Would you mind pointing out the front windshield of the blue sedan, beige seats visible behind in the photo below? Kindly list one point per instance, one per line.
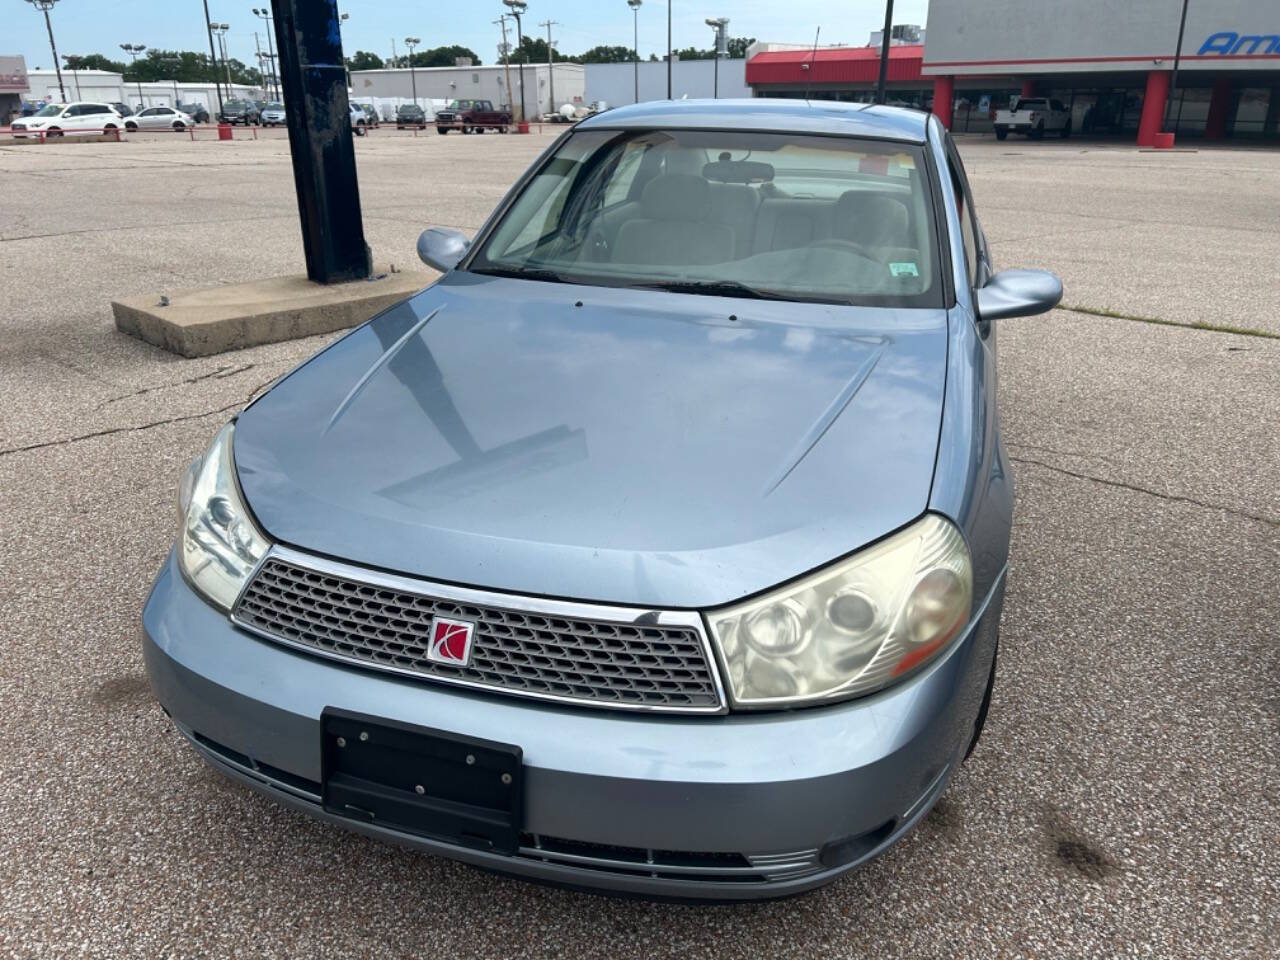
(776, 216)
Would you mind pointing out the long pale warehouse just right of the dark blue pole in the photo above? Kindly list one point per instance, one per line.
(444, 84)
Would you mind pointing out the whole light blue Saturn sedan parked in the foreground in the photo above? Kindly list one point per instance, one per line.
(653, 548)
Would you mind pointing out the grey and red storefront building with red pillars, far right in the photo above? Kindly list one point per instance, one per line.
(1112, 65)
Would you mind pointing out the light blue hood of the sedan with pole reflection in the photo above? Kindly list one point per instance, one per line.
(628, 447)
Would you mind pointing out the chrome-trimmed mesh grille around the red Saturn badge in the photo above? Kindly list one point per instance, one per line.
(385, 623)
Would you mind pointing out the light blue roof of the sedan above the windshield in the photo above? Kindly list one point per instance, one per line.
(770, 115)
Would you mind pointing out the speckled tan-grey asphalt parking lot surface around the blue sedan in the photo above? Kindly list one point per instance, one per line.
(1124, 801)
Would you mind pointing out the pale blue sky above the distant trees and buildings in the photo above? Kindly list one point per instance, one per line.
(99, 28)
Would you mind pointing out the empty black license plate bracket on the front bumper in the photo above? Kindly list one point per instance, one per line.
(417, 780)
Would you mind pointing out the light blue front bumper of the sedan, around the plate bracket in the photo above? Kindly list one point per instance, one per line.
(739, 807)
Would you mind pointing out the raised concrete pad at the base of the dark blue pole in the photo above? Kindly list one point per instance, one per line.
(217, 319)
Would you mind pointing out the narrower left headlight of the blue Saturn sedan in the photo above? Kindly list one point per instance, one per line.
(220, 543)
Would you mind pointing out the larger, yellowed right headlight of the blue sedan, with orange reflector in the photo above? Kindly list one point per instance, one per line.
(853, 628)
